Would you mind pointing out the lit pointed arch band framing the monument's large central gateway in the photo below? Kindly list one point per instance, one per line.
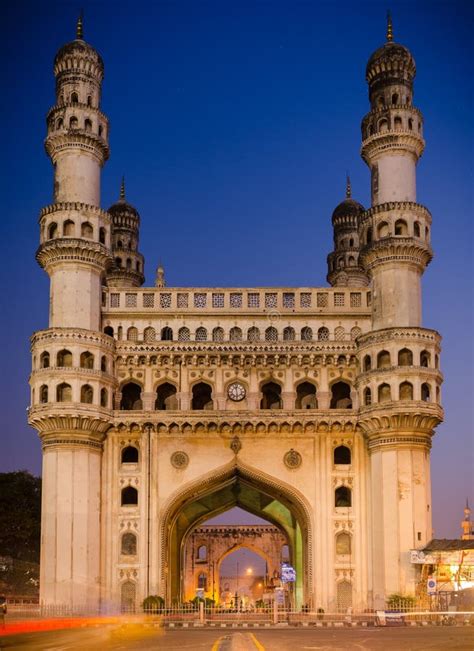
(235, 485)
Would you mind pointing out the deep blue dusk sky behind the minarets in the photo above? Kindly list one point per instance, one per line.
(235, 123)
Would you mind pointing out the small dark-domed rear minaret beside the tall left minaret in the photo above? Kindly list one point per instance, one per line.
(128, 265)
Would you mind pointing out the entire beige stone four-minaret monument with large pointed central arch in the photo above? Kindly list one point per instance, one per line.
(160, 407)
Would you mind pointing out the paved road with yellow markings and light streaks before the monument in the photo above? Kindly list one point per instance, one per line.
(133, 638)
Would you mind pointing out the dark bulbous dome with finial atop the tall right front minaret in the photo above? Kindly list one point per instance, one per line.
(392, 60)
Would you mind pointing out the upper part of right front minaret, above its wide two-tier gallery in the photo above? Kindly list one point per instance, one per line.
(395, 232)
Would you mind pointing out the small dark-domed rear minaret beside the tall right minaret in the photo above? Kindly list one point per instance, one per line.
(343, 263)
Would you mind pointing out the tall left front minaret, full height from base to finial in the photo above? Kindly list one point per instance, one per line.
(71, 383)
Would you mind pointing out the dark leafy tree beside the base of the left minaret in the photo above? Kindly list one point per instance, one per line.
(20, 515)
